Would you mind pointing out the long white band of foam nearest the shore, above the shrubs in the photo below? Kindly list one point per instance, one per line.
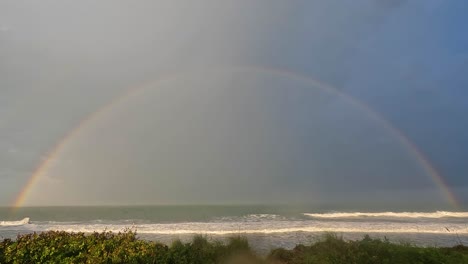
(267, 227)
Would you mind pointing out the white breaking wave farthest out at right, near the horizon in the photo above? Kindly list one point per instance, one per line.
(437, 214)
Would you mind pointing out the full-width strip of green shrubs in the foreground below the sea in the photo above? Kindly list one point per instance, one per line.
(108, 247)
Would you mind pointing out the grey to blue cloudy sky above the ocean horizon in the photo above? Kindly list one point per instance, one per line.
(229, 101)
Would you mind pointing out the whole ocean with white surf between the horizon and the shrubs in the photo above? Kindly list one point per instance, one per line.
(266, 227)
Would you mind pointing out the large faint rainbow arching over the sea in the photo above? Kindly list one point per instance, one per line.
(133, 91)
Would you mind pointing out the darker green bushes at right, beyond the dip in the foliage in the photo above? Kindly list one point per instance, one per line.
(332, 249)
